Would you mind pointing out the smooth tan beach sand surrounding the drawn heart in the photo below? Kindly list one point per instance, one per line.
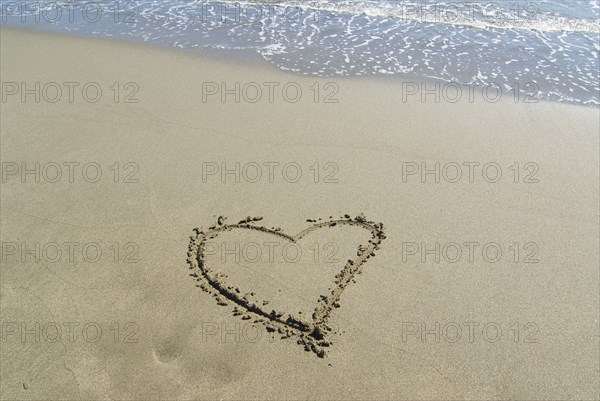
(408, 328)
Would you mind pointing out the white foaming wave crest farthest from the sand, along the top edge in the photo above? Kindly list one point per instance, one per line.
(536, 16)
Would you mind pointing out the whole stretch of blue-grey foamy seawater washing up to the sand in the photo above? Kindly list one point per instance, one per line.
(553, 50)
